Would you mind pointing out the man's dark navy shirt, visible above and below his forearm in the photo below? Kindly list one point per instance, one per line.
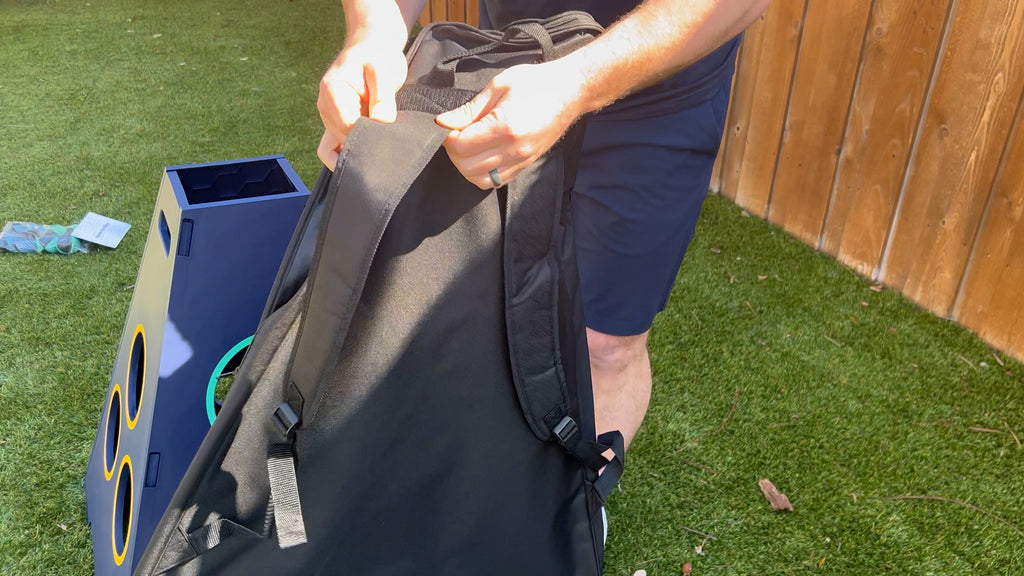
(696, 85)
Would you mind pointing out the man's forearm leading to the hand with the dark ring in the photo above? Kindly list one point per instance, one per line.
(658, 39)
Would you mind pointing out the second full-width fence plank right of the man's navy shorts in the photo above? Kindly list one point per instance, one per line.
(834, 34)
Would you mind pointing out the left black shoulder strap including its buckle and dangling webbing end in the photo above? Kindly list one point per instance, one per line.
(376, 169)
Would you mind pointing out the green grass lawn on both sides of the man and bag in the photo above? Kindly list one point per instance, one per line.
(773, 361)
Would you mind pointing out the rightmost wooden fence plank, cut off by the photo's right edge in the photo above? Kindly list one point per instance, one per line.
(992, 303)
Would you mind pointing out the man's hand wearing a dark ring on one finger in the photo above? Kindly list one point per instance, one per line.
(517, 118)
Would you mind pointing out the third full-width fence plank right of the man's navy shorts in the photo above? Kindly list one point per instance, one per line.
(900, 55)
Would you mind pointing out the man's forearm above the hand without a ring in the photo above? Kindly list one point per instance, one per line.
(385, 21)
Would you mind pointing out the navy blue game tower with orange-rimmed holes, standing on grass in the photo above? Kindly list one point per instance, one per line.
(218, 237)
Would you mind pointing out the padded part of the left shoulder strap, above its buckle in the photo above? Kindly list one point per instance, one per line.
(375, 170)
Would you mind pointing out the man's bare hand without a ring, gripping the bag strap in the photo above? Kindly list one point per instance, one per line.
(362, 81)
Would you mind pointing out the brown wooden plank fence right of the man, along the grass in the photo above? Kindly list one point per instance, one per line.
(888, 134)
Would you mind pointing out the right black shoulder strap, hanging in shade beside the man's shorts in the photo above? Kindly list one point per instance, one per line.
(535, 243)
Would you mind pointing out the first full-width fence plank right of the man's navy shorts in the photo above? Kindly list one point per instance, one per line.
(751, 159)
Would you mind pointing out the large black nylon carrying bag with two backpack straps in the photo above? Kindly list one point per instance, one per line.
(417, 399)
